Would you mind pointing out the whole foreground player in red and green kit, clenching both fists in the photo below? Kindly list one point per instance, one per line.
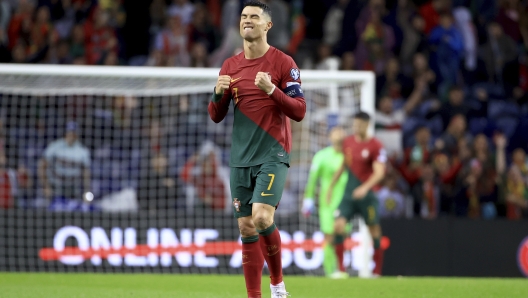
(263, 85)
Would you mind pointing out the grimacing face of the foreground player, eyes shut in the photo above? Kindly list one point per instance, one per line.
(254, 24)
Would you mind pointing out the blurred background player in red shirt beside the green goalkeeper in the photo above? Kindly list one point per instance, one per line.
(364, 161)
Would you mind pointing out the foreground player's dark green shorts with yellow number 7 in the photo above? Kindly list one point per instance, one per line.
(258, 184)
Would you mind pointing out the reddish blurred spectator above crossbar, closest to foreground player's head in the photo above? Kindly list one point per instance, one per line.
(172, 42)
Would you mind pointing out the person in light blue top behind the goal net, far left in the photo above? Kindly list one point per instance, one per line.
(64, 171)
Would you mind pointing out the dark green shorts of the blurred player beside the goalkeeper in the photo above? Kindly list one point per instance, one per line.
(368, 207)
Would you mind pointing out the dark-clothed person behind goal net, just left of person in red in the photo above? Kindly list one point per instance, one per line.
(157, 189)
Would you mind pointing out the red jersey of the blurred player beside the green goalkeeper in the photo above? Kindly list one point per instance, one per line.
(359, 156)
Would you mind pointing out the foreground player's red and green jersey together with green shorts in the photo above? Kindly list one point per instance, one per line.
(261, 139)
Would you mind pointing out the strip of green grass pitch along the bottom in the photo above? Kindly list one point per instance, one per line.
(44, 285)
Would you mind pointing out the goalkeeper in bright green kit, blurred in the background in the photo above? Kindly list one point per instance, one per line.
(324, 165)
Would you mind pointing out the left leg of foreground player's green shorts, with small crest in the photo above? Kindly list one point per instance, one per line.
(242, 184)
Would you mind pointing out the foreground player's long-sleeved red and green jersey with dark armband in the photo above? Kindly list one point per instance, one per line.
(261, 129)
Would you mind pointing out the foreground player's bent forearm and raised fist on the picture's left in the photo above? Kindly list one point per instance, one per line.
(219, 104)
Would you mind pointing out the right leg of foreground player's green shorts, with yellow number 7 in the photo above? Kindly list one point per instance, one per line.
(269, 183)
